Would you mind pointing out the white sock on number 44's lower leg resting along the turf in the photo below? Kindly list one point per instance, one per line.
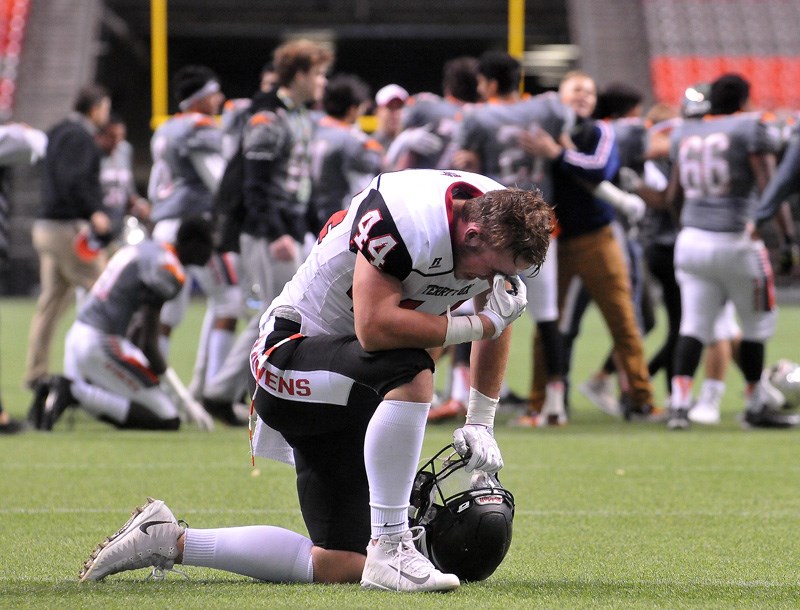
(264, 552)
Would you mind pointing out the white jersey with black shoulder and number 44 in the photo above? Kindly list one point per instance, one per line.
(401, 224)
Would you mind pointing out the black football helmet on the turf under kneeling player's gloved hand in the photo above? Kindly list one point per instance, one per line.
(467, 517)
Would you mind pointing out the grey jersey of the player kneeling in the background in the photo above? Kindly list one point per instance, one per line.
(147, 273)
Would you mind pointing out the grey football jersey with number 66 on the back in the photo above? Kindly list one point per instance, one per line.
(715, 174)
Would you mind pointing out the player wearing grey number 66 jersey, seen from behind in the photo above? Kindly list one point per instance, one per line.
(717, 164)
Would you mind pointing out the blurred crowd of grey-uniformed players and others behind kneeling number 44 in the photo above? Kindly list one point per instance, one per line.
(670, 197)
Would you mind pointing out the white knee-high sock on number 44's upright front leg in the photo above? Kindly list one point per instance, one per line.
(392, 446)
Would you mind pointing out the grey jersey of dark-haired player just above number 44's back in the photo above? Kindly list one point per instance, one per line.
(343, 161)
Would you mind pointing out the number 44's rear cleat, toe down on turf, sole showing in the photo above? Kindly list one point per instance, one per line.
(149, 538)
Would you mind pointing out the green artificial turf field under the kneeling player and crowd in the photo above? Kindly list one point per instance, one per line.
(609, 514)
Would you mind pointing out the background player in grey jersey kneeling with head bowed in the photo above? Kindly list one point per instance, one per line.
(112, 362)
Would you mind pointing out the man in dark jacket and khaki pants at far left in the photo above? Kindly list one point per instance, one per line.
(72, 205)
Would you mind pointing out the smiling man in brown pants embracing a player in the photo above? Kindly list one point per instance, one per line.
(587, 248)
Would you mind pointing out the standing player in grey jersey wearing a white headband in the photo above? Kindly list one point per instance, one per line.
(187, 169)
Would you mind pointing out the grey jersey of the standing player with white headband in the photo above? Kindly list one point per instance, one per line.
(176, 189)
